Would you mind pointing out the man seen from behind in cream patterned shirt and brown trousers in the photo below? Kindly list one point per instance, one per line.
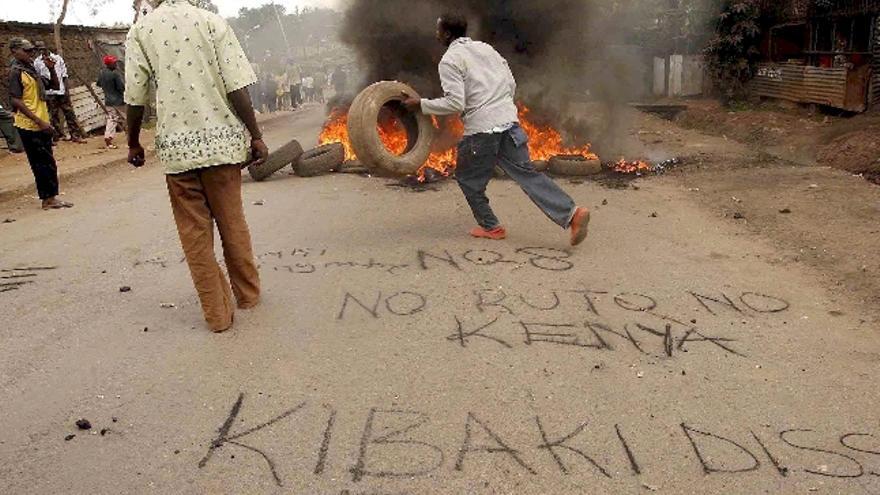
(206, 133)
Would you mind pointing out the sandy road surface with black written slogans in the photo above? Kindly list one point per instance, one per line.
(681, 352)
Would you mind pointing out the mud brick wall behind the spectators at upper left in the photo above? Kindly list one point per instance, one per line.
(78, 41)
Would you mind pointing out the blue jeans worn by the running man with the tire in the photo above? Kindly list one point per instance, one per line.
(480, 153)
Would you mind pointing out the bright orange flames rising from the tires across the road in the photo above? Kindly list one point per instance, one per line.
(545, 142)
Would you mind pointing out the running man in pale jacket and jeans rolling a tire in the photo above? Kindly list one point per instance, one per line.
(478, 85)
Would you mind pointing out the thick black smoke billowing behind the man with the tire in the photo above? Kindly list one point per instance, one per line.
(545, 42)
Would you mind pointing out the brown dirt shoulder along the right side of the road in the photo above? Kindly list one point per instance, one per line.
(816, 215)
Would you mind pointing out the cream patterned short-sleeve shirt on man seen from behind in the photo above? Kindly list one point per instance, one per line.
(195, 61)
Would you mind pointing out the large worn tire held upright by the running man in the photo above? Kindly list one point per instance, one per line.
(383, 100)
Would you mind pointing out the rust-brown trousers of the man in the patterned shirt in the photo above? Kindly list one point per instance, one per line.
(199, 199)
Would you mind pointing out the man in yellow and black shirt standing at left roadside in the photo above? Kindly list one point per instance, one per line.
(28, 91)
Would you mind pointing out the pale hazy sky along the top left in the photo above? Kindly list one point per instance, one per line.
(114, 11)
